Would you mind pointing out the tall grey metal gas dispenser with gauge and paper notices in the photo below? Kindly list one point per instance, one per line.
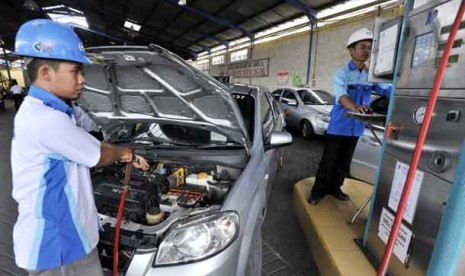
(428, 25)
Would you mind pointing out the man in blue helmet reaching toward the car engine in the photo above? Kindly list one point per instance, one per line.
(56, 232)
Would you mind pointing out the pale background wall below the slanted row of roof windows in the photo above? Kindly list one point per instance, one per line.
(290, 54)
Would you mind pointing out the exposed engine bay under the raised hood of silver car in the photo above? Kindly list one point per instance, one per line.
(156, 199)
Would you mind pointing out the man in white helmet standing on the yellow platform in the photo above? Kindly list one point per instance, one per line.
(352, 92)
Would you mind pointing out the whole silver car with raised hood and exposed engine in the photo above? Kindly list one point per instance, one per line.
(213, 151)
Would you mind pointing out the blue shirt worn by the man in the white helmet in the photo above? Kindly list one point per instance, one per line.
(353, 83)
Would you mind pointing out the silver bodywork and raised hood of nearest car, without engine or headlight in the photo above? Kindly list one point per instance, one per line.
(258, 154)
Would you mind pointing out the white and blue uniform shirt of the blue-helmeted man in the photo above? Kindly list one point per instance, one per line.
(50, 159)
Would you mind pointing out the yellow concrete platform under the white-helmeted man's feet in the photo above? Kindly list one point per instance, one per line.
(329, 233)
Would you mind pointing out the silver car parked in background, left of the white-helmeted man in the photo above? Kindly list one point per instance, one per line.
(306, 110)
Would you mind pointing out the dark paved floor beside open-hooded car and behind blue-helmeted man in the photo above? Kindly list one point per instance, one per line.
(281, 230)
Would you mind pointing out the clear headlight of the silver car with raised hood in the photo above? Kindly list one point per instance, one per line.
(198, 239)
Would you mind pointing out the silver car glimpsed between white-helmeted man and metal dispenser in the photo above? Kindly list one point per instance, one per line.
(366, 156)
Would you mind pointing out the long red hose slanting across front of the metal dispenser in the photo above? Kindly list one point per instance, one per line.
(382, 269)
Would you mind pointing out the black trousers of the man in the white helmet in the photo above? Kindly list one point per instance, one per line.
(335, 164)
